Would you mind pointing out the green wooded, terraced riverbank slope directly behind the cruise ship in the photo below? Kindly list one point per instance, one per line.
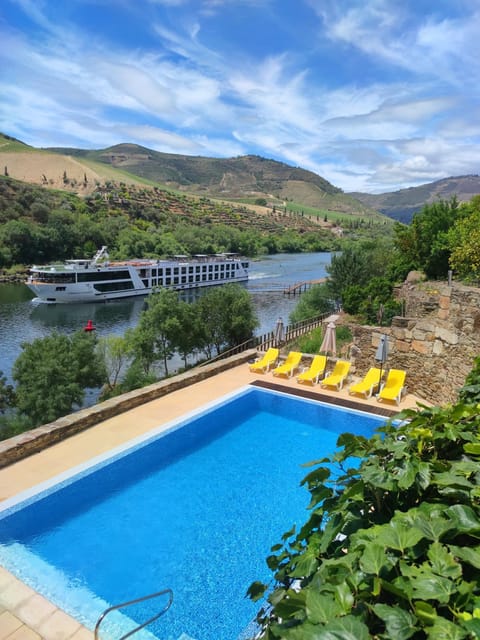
(39, 225)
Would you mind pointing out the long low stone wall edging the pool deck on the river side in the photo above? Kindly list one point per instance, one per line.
(33, 441)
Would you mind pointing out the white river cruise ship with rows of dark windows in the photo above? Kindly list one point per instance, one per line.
(100, 279)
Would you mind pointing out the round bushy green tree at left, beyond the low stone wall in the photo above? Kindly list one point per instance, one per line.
(52, 374)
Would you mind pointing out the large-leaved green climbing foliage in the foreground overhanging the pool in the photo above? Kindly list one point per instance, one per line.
(391, 548)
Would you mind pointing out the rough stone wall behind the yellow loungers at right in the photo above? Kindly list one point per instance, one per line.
(435, 343)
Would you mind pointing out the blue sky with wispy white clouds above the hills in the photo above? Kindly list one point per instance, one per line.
(373, 95)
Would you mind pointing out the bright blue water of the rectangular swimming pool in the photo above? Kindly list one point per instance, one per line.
(196, 509)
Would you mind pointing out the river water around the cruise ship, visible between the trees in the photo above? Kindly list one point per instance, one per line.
(23, 319)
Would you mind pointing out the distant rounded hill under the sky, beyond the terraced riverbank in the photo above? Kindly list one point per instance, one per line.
(248, 179)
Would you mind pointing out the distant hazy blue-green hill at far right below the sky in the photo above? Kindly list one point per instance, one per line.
(401, 205)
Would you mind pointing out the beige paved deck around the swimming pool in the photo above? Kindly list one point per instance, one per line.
(25, 614)
